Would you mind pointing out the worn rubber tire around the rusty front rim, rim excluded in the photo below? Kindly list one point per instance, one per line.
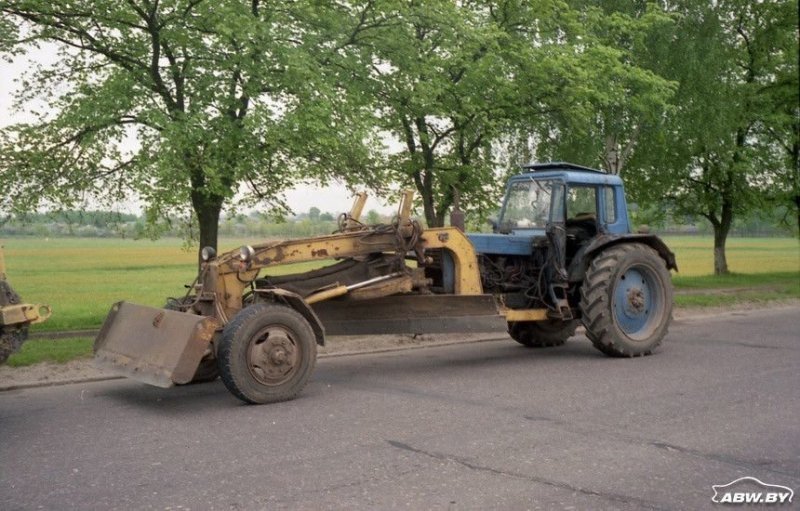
(231, 353)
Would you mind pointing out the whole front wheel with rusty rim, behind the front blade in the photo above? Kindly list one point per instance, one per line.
(267, 353)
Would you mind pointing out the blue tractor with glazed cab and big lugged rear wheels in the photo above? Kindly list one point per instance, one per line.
(563, 242)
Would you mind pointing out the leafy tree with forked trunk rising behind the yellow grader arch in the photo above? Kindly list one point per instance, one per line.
(449, 78)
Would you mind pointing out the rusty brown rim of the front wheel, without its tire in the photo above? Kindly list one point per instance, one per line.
(273, 355)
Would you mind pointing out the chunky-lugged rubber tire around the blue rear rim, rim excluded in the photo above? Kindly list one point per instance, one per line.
(596, 302)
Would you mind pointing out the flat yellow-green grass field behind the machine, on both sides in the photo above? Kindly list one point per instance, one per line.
(81, 278)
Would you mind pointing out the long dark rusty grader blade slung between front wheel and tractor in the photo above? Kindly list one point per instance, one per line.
(411, 314)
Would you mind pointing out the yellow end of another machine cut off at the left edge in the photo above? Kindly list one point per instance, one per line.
(15, 316)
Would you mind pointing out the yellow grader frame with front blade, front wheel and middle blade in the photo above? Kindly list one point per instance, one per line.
(259, 332)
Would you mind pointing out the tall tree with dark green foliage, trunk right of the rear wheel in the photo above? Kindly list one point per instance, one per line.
(712, 162)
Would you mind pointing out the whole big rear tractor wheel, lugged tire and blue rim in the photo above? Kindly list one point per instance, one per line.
(626, 300)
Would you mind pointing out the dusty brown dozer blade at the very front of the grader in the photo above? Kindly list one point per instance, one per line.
(155, 346)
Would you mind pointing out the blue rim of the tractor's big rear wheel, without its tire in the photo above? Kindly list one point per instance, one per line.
(638, 302)
